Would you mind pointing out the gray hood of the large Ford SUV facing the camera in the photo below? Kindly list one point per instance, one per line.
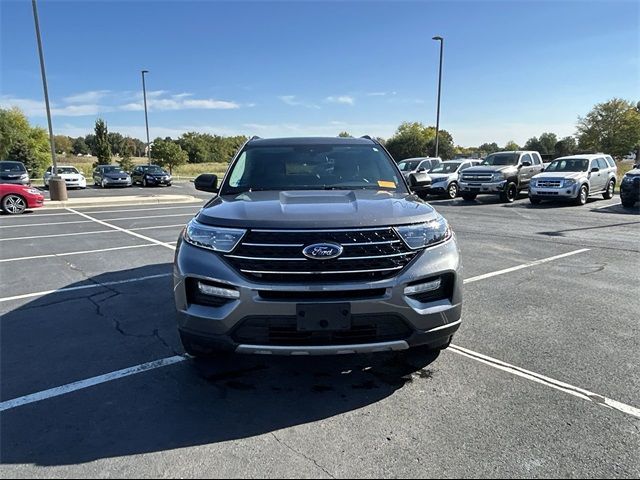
(315, 209)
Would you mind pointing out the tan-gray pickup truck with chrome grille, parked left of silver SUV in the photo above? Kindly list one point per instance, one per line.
(503, 173)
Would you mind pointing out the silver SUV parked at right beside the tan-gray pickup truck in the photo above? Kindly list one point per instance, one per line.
(575, 178)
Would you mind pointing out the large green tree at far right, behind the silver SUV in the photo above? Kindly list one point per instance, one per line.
(611, 127)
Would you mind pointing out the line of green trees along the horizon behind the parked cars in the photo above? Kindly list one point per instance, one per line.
(611, 127)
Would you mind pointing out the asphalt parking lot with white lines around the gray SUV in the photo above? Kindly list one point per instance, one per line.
(543, 379)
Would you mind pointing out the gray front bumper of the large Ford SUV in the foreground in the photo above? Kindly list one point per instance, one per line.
(430, 323)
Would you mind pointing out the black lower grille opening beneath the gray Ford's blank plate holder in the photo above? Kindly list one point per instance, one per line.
(283, 331)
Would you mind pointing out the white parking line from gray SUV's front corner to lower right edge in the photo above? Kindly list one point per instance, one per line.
(549, 382)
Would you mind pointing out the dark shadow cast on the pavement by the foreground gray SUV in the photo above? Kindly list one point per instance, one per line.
(69, 337)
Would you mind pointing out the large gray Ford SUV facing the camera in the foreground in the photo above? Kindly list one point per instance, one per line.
(315, 246)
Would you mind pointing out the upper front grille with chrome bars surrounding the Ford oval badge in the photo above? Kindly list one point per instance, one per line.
(276, 255)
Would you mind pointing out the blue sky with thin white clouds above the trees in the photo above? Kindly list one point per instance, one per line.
(512, 69)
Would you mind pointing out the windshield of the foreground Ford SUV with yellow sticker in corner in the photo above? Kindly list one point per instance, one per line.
(312, 167)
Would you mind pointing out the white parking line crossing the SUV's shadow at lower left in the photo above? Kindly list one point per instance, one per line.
(89, 382)
